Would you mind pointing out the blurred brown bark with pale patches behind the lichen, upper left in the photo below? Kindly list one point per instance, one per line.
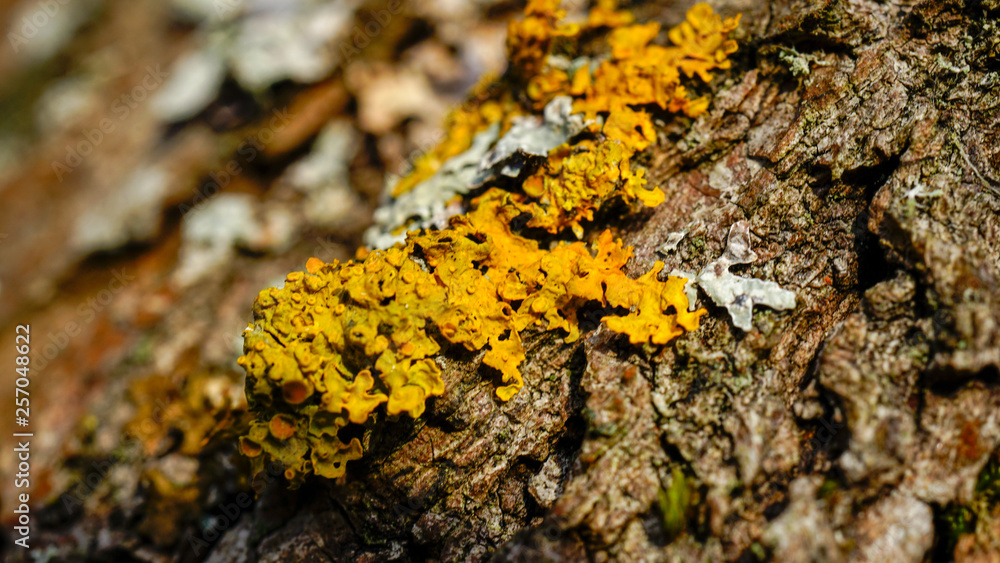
(160, 163)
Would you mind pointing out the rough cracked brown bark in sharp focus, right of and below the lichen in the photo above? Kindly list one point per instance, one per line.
(859, 141)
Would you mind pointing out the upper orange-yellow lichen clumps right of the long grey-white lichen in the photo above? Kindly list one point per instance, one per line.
(575, 183)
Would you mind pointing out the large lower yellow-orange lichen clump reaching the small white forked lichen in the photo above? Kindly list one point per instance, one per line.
(363, 334)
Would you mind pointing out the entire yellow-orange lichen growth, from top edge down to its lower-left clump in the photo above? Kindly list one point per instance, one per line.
(341, 339)
